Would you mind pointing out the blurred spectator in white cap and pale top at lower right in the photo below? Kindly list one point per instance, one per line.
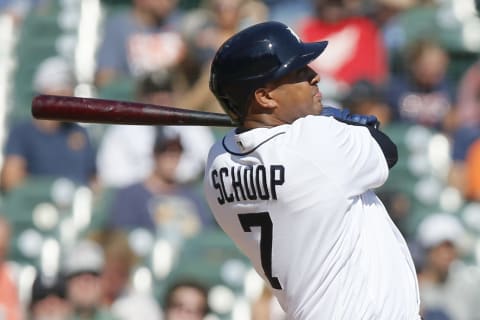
(448, 285)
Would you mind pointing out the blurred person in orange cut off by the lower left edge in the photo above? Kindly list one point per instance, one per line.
(10, 308)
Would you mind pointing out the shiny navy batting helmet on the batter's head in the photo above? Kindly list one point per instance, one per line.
(253, 57)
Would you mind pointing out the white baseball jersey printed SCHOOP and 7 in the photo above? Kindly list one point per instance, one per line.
(297, 200)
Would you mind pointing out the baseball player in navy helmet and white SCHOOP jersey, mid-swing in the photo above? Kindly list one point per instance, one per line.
(292, 185)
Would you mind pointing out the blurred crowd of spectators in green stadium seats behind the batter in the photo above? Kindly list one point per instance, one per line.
(109, 221)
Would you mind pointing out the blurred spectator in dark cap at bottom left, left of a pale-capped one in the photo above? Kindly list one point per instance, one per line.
(48, 299)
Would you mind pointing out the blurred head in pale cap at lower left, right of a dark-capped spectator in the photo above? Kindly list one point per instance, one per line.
(83, 266)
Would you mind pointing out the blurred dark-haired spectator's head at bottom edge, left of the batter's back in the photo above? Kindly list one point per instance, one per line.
(186, 300)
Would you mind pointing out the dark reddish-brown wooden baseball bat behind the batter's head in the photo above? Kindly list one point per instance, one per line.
(92, 110)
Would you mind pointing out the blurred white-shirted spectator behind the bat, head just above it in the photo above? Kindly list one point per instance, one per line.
(125, 151)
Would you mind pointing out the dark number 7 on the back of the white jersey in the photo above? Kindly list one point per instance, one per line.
(262, 220)
